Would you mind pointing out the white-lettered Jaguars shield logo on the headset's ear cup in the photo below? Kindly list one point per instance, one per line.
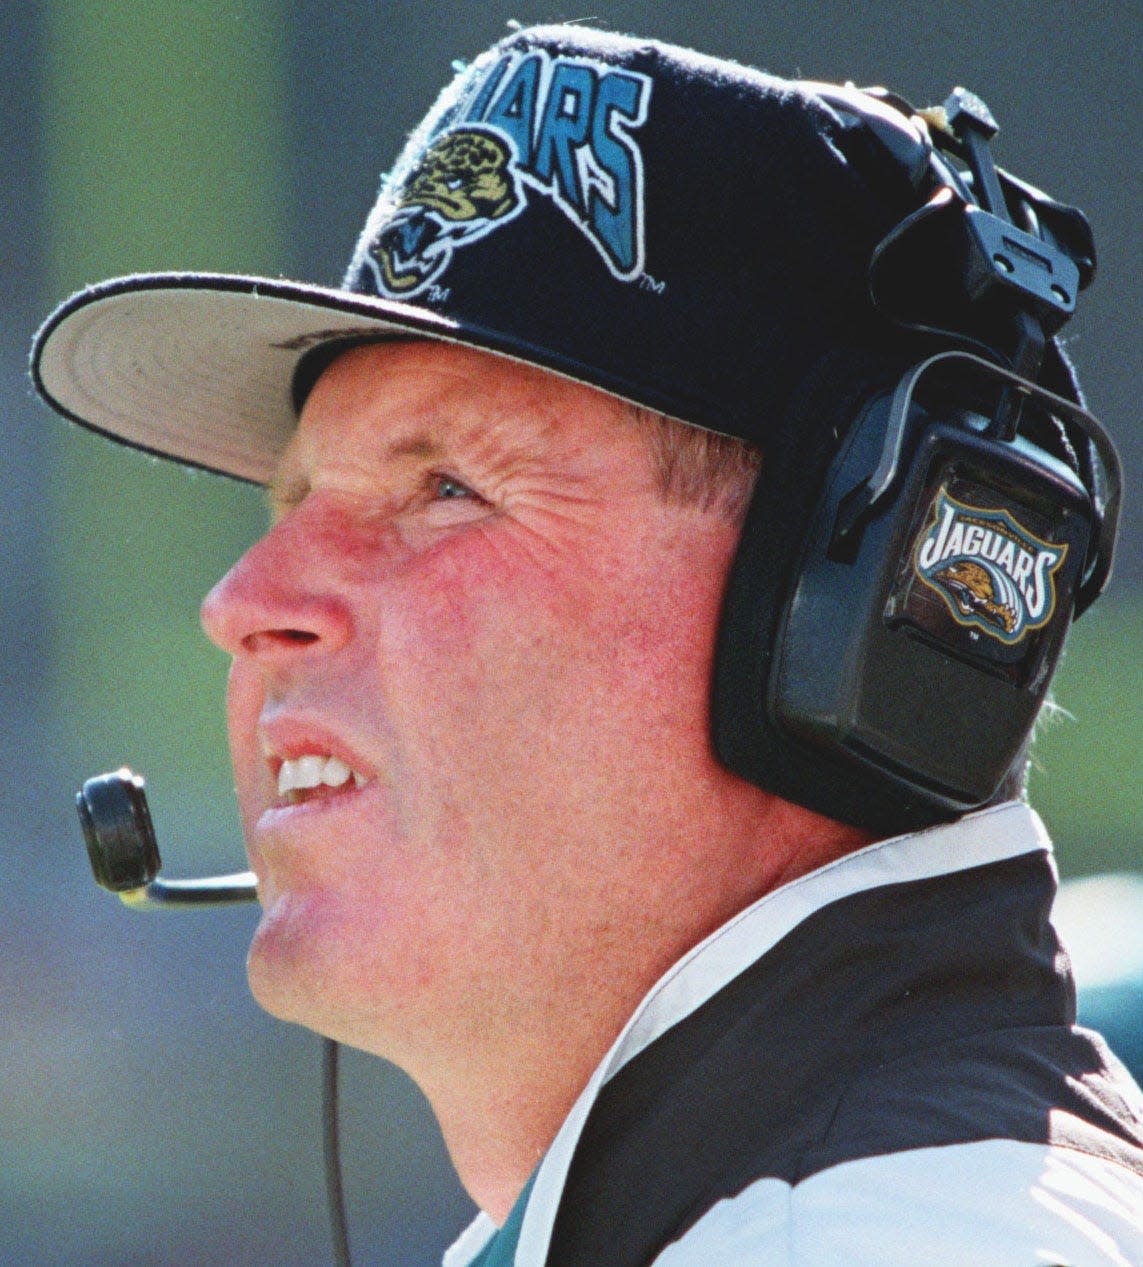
(992, 572)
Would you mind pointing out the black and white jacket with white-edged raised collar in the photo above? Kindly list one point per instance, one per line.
(875, 1065)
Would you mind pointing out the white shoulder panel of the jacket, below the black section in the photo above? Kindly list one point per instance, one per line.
(993, 1203)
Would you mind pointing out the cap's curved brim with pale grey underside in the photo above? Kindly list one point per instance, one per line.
(201, 367)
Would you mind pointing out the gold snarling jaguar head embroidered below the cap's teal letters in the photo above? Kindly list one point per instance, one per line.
(463, 187)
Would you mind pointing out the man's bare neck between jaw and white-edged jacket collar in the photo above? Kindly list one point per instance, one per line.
(502, 1097)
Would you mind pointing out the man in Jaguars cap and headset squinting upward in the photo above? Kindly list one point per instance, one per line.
(761, 974)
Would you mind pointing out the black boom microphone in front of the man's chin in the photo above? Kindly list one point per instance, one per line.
(125, 855)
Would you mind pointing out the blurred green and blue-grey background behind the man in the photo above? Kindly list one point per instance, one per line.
(149, 1113)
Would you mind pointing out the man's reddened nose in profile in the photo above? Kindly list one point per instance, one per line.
(278, 602)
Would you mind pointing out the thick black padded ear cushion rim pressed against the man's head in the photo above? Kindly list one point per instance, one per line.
(762, 580)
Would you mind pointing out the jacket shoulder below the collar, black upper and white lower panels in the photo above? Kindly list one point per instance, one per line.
(1013, 1149)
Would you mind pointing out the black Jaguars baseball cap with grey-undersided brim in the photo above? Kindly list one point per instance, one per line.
(684, 232)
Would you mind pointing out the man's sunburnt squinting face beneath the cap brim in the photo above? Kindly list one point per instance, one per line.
(475, 600)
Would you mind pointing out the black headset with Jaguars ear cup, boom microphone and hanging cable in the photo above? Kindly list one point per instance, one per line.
(914, 554)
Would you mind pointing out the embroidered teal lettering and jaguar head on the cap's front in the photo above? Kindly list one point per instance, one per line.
(561, 127)
